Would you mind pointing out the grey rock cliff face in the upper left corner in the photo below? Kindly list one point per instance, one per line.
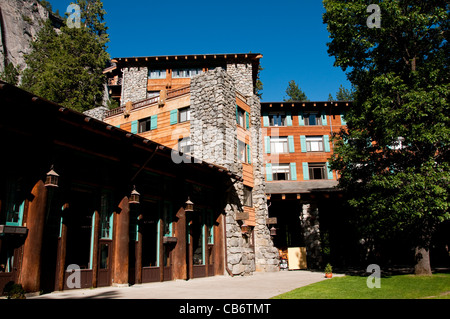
(20, 22)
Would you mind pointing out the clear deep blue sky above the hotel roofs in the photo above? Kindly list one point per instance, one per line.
(289, 33)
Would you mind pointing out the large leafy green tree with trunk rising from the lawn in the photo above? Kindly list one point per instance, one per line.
(393, 159)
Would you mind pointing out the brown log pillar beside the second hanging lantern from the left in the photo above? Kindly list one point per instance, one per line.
(121, 244)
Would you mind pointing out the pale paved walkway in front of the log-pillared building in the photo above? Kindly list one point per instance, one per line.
(257, 286)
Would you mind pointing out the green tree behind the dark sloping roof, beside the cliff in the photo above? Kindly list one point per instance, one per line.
(66, 68)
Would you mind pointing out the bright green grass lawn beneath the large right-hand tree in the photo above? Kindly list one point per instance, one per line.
(393, 287)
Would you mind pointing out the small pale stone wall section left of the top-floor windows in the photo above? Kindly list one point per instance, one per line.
(134, 87)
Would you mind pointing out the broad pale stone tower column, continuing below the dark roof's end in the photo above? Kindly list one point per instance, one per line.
(214, 139)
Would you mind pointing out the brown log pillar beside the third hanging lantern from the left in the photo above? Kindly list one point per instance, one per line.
(179, 252)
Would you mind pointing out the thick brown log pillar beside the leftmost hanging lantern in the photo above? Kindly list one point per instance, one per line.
(31, 265)
